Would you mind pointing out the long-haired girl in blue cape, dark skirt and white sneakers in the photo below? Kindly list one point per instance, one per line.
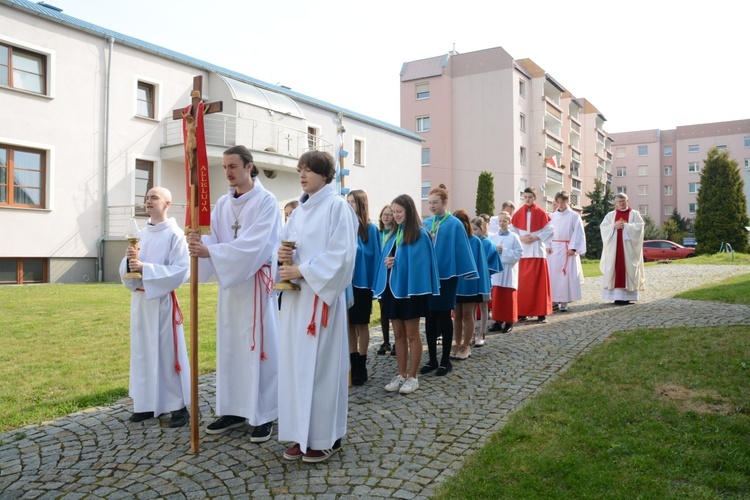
(405, 281)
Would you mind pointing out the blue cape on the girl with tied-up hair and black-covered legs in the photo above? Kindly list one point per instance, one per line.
(454, 254)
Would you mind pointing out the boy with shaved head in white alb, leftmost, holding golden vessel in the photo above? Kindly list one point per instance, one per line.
(159, 367)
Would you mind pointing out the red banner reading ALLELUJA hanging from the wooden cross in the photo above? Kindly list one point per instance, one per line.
(195, 145)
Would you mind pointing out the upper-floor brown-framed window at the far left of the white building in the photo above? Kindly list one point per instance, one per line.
(22, 69)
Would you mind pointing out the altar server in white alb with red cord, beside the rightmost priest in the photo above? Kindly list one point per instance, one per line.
(563, 253)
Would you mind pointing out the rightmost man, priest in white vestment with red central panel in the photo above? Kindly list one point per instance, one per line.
(623, 273)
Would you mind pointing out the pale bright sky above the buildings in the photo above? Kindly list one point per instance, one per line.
(654, 64)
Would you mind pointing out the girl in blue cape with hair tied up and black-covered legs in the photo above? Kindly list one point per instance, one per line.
(455, 259)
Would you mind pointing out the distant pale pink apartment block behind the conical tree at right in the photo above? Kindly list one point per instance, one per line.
(660, 169)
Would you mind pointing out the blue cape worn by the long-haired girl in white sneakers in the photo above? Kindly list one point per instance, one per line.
(414, 269)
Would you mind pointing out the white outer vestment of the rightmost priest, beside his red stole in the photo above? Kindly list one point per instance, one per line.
(632, 241)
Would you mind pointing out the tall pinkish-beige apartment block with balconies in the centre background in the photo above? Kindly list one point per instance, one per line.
(486, 111)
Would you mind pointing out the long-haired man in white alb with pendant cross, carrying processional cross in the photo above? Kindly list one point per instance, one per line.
(240, 252)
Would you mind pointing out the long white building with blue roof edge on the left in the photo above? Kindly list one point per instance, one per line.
(86, 128)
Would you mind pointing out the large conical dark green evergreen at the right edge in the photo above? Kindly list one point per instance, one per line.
(722, 208)
